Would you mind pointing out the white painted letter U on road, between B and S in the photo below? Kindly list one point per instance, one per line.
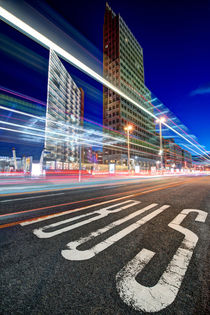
(72, 253)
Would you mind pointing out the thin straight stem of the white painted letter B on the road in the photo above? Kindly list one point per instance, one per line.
(72, 211)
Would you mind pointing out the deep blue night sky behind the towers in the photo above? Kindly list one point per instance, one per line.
(175, 36)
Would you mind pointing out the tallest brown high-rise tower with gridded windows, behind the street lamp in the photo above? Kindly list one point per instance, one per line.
(123, 66)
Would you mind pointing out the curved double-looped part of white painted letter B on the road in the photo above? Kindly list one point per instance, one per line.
(101, 213)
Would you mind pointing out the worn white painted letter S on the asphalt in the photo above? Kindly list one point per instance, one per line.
(158, 297)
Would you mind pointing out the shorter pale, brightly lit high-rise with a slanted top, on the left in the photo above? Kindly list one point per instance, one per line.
(65, 110)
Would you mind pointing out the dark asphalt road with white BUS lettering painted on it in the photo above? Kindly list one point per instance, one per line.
(126, 248)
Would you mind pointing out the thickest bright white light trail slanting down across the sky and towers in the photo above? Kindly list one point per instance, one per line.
(46, 42)
